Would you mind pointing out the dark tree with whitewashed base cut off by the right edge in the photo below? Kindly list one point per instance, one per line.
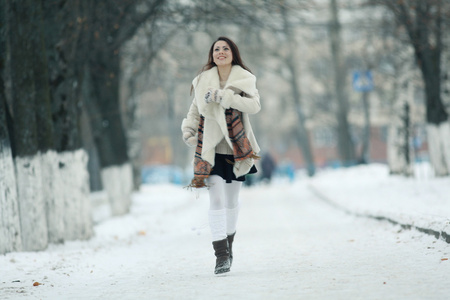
(423, 21)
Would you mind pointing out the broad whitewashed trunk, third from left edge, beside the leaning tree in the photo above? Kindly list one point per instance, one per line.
(68, 212)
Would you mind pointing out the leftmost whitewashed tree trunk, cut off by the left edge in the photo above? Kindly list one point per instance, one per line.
(10, 236)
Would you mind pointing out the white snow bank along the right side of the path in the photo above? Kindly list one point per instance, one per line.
(422, 202)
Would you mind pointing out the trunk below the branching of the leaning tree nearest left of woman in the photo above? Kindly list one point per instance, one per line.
(109, 131)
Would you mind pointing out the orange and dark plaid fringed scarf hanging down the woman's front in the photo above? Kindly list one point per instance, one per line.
(242, 149)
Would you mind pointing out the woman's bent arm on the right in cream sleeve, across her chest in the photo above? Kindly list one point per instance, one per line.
(244, 103)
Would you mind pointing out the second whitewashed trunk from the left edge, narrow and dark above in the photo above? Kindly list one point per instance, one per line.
(28, 161)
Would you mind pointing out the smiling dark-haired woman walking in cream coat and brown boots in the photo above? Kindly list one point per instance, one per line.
(218, 125)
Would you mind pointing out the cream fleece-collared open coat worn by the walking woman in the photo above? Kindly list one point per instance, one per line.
(215, 127)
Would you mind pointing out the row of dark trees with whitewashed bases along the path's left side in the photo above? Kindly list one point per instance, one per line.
(60, 60)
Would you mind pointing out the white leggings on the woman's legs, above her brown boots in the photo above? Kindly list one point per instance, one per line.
(223, 206)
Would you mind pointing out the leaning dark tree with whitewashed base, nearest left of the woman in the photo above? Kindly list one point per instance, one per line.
(112, 24)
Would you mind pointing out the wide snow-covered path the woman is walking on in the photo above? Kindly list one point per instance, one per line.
(289, 245)
